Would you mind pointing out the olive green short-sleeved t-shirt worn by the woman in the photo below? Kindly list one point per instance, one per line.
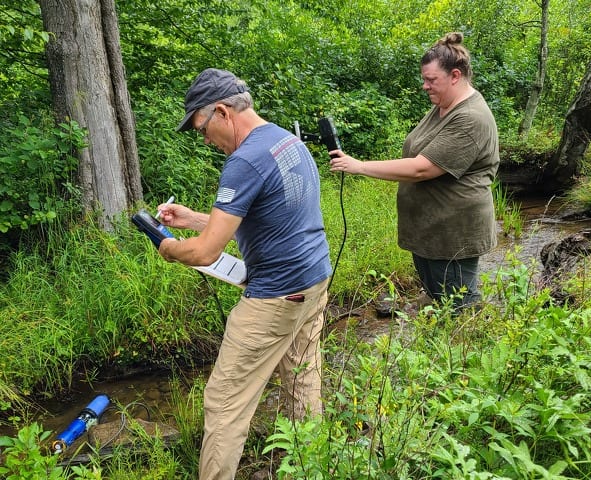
(451, 216)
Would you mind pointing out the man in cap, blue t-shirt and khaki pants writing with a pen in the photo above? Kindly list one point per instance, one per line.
(268, 200)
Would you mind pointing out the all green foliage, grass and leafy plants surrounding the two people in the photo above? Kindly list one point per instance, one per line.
(502, 394)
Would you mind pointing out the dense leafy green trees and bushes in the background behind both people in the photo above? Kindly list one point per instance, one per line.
(355, 61)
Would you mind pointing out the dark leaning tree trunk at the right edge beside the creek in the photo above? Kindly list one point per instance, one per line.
(565, 165)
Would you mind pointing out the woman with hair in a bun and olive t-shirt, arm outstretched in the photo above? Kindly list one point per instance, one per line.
(445, 205)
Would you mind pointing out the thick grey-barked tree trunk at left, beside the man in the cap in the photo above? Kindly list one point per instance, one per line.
(88, 85)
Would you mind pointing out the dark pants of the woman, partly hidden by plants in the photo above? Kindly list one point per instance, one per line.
(442, 278)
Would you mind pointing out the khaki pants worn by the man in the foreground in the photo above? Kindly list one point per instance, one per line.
(261, 334)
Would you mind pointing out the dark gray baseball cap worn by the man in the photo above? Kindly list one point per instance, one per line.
(210, 86)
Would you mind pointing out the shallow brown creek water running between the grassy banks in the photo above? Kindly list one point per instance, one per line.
(152, 390)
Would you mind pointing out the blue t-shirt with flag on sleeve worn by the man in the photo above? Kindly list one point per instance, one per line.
(271, 181)
